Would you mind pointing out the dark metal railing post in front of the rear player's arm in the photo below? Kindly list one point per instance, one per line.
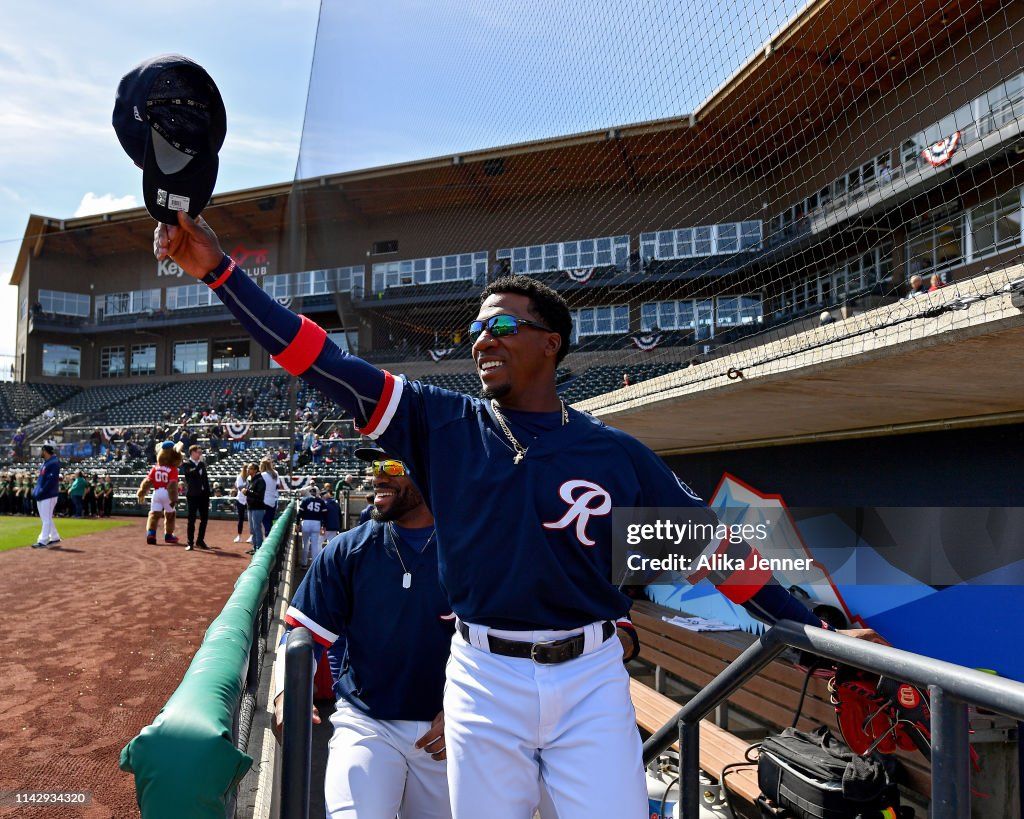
(297, 742)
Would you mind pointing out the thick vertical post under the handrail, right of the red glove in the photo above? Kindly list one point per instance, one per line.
(951, 760)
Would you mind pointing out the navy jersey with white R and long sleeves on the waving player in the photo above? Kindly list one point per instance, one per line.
(524, 546)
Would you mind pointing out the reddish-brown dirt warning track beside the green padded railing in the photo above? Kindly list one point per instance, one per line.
(99, 633)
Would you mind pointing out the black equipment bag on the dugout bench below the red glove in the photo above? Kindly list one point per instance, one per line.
(817, 777)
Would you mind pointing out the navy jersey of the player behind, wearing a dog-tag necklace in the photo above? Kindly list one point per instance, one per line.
(397, 639)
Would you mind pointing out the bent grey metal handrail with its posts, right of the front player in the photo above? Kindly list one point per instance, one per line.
(951, 687)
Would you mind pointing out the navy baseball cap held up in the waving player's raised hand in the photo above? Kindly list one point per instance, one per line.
(170, 120)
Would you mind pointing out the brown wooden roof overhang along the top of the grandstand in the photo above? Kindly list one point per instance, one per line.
(830, 56)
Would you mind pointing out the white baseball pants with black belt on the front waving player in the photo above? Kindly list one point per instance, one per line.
(513, 725)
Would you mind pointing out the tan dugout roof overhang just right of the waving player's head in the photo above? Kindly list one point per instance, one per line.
(879, 373)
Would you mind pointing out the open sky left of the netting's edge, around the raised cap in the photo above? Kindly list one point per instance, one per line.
(60, 68)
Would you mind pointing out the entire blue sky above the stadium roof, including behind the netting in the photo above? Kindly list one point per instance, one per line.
(393, 81)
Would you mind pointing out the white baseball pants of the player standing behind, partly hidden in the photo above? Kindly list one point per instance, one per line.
(374, 771)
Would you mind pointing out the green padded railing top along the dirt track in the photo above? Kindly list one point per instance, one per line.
(186, 762)
